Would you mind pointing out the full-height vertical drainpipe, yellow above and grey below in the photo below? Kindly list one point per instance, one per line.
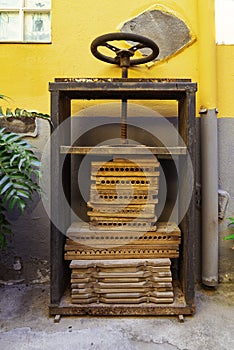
(209, 147)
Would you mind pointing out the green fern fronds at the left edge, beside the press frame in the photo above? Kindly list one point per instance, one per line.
(19, 167)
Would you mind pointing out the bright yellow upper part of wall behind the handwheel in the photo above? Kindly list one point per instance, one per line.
(26, 69)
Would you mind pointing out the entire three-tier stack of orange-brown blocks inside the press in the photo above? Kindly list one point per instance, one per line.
(122, 255)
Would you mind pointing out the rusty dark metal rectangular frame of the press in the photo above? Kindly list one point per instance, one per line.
(63, 91)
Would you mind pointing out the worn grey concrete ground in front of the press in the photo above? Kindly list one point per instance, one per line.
(24, 324)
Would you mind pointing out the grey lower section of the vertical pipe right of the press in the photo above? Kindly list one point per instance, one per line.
(209, 161)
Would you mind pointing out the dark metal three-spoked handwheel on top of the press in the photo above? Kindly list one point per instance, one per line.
(123, 56)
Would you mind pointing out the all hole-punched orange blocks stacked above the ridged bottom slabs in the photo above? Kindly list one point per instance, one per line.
(122, 224)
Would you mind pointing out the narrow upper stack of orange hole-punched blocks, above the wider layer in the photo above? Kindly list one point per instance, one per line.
(123, 195)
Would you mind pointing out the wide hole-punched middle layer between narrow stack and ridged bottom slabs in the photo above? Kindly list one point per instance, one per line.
(83, 243)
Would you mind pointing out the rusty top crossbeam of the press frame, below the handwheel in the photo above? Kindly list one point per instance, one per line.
(79, 88)
